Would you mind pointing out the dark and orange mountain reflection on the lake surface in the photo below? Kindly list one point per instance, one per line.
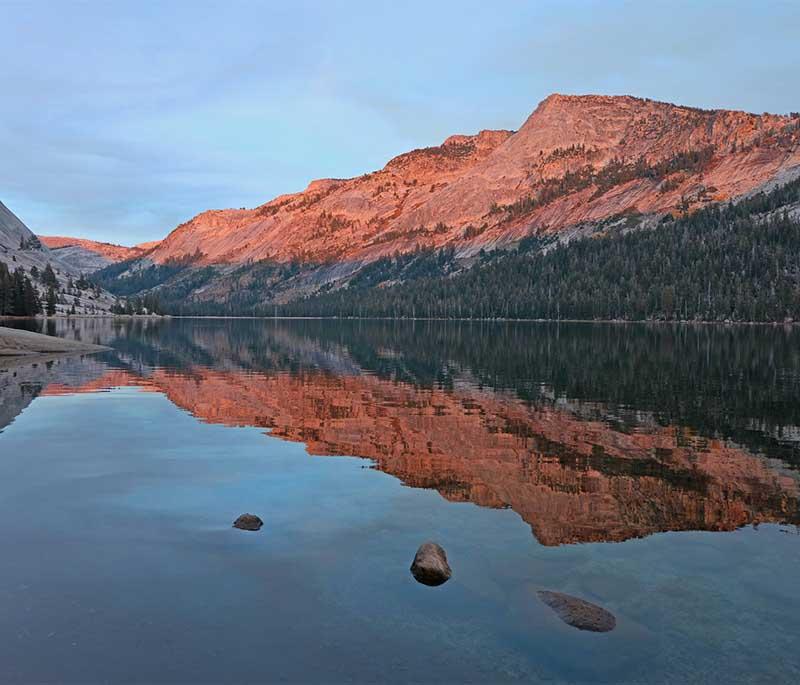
(589, 433)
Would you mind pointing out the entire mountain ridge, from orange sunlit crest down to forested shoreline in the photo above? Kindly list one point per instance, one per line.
(579, 167)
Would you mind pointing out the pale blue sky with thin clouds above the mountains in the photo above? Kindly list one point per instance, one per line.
(121, 120)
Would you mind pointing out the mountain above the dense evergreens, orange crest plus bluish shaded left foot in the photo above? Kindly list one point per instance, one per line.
(578, 166)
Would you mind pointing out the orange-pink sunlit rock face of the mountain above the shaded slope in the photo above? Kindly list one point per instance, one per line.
(454, 194)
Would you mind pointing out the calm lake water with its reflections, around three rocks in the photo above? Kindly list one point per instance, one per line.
(651, 470)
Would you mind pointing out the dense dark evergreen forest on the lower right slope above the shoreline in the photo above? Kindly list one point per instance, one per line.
(737, 262)
